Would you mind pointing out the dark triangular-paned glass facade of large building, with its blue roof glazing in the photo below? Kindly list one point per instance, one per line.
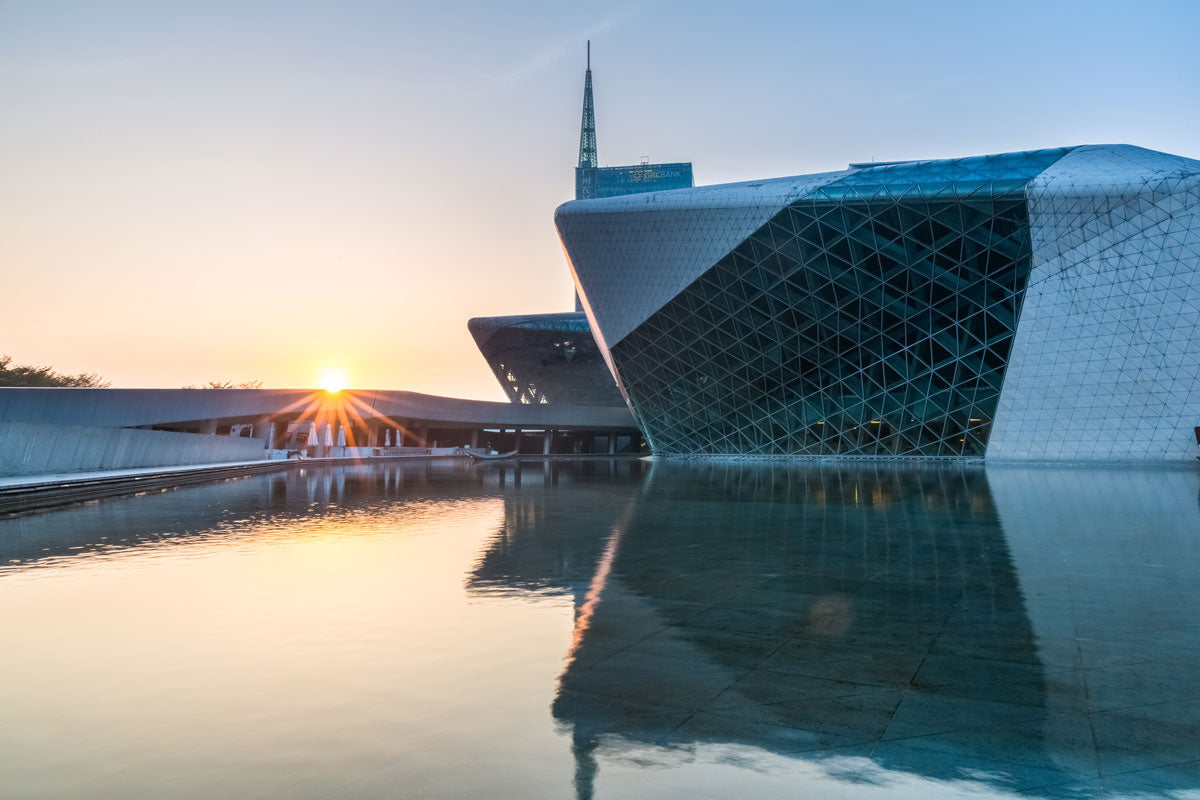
(873, 316)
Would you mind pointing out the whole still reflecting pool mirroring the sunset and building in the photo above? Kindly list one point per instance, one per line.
(610, 629)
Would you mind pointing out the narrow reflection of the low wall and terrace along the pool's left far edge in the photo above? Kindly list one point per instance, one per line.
(242, 507)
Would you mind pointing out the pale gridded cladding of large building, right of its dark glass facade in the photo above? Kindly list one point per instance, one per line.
(1106, 363)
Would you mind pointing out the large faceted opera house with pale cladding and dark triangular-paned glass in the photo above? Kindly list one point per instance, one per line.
(1040, 305)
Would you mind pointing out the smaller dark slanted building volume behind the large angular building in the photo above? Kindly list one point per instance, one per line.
(547, 359)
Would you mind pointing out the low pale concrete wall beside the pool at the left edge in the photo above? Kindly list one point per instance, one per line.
(35, 449)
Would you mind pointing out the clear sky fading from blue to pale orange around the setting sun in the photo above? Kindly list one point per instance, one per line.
(197, 191)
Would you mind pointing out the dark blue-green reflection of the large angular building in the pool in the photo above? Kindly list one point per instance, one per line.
(987, 629)
